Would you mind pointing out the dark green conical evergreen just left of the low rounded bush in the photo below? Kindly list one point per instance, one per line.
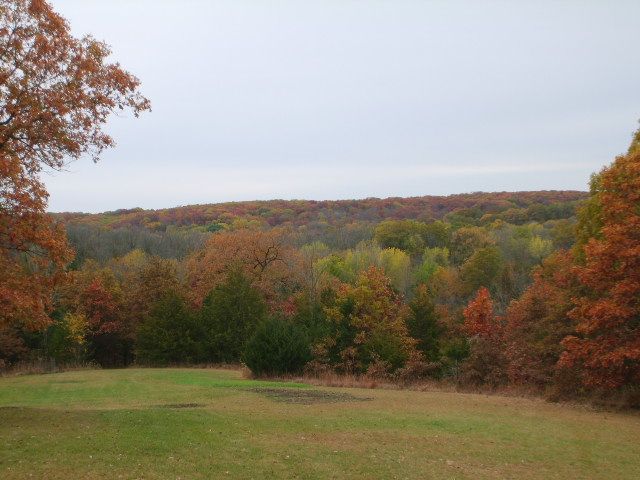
(230, 315)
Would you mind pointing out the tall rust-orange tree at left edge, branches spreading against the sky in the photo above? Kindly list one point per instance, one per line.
(56, 93)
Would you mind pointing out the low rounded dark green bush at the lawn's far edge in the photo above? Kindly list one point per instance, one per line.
(277, 347)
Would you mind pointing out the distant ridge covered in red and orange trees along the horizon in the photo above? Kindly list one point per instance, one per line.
(514, 207)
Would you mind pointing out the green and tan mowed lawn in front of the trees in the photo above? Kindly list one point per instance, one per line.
(202, 424)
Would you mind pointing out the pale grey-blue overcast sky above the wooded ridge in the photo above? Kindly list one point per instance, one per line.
(355, 99)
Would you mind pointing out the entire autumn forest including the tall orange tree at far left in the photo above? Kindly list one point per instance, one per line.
(538, 291)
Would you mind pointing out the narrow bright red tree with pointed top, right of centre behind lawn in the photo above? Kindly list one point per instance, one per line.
(486, 362)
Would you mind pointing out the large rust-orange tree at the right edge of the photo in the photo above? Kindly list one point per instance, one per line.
(606, 346)
